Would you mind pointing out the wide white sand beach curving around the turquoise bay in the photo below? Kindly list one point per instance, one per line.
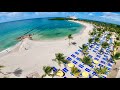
(32, 55)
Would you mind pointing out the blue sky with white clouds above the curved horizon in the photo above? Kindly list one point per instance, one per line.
(111, 17)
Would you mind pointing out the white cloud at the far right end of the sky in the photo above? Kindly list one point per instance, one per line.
(111, 16)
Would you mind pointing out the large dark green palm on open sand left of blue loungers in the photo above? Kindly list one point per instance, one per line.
(60, 59)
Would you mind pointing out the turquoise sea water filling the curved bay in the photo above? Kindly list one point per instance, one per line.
(41, 28)
